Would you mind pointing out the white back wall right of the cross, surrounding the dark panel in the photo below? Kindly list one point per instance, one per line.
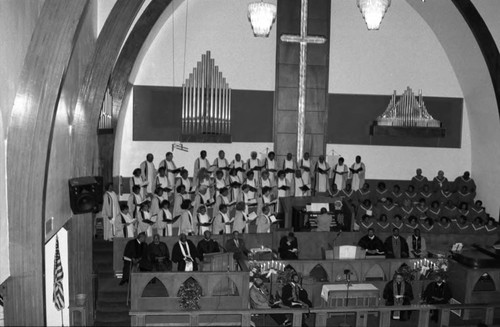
(392, 58)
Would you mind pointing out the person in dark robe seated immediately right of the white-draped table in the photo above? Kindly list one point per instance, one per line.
(398, 292)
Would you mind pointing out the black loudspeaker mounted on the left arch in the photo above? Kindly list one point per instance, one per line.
(85, 193)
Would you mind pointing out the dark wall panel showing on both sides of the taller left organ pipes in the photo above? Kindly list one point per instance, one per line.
(157, 114)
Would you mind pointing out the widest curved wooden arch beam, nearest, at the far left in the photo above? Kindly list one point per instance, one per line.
(29, 136)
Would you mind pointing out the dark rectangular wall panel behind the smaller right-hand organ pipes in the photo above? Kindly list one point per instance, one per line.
(351, 116)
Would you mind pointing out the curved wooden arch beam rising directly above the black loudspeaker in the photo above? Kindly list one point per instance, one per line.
(96, 79)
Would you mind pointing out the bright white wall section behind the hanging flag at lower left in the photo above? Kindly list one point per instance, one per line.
(54, 316)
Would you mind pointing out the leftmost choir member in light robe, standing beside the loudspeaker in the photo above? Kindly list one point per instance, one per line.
(111, 214)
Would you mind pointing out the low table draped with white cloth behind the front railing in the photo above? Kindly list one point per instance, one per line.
(357, 295)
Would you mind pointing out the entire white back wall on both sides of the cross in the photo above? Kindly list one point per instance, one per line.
(361, 62)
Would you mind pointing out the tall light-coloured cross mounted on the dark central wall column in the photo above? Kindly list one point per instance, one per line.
(303, 39)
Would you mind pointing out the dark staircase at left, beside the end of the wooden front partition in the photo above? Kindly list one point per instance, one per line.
(111, 307)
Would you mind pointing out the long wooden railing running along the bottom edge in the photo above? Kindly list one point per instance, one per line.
(193, 318)
